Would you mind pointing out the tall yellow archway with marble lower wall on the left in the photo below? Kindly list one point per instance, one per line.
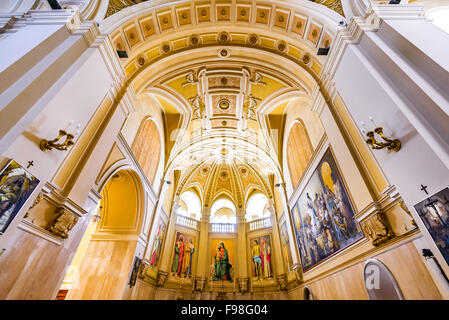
(102, 264)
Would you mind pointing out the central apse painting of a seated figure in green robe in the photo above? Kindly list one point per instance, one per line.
(222, 253)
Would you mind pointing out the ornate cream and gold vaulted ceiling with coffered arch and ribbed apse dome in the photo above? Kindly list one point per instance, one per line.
(223, 66)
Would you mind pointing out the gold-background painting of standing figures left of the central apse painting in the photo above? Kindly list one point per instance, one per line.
(183, 254)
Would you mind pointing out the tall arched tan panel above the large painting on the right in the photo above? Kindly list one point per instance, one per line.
(299, 151)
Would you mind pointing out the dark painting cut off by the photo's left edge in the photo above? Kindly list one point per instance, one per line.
(16, 186)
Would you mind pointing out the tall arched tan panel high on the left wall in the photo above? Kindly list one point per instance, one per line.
(147, 148)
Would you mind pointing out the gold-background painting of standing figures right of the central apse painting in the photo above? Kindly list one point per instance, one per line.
(261, 257)
